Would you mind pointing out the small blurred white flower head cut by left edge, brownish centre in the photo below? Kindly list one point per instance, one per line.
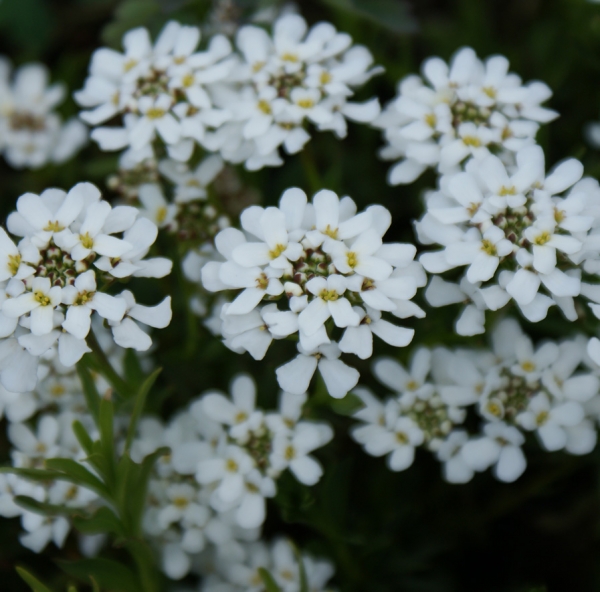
(31, 133)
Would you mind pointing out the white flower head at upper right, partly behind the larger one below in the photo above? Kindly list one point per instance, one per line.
(462, 109)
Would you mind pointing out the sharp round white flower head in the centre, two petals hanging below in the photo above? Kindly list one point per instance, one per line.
(319, 271)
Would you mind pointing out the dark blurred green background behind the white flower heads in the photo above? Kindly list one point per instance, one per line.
(385, 532)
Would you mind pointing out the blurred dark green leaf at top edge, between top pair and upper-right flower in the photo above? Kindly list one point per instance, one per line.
(389, 14)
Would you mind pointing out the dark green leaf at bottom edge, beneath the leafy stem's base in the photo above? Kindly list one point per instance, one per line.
(108, 574)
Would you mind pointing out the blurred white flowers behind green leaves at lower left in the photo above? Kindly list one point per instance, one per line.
(40, 428)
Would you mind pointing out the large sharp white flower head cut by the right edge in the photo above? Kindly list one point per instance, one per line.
(518, 238)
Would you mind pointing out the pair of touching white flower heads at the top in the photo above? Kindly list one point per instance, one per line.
(244, 105)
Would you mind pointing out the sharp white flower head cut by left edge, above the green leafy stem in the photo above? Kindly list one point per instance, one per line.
(49, 280)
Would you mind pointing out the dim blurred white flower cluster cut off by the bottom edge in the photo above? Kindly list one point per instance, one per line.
(238, 570)
